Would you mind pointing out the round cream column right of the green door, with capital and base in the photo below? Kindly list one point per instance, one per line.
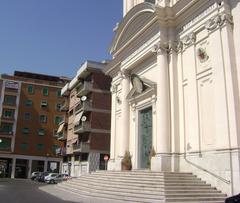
(162, 161)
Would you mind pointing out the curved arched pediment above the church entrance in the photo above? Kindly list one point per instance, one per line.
(133, 22)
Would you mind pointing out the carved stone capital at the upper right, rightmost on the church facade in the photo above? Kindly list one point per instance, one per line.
(218, 21)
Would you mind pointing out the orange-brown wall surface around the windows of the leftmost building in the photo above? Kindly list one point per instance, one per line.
(32, 139)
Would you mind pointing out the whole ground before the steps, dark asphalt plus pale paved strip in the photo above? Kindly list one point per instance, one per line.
(27, 191)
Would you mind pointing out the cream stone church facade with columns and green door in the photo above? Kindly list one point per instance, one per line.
(175, 89)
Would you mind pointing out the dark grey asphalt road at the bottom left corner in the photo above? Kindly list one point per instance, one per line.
(26, 191)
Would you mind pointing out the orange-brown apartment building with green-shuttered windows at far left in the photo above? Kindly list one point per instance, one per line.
(29, 116)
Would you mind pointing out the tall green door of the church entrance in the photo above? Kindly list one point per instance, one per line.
(145, 136)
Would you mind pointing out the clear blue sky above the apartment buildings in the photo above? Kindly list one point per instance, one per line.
(55, 36)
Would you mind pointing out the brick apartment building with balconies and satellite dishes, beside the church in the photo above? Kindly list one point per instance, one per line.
(86, 130)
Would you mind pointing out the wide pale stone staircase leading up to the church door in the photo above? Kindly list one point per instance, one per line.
(144, 186)
